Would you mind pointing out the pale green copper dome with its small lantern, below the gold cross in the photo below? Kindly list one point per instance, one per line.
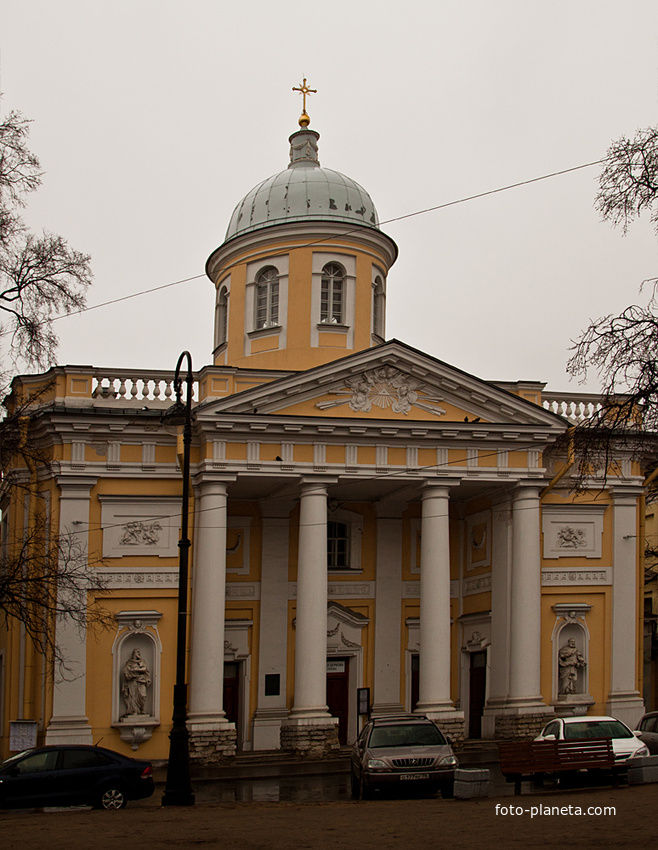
(303, 192)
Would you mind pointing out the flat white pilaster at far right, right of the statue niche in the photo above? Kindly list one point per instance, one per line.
(624, 699)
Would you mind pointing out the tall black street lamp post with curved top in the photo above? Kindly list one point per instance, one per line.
(178, 790)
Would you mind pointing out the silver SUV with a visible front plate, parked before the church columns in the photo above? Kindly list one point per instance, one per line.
(402, 750)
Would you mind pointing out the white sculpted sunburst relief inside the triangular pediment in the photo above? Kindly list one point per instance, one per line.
(385, 388)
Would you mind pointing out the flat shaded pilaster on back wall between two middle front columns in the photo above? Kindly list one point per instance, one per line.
(388, 604)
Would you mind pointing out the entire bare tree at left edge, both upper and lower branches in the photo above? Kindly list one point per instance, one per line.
(44, 577)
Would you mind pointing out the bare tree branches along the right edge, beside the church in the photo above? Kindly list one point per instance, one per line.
(622, 349)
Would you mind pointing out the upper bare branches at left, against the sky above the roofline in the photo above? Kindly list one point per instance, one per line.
(40, 276)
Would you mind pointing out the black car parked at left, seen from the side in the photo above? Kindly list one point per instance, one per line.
(73, 775)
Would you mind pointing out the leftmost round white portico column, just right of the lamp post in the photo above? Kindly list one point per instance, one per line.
(206, 666)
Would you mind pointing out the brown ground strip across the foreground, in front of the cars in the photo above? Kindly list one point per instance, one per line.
(546, 820)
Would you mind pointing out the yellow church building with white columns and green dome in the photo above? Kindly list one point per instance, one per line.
(373, 530)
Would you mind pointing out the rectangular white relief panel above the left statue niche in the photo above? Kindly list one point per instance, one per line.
(140, 526)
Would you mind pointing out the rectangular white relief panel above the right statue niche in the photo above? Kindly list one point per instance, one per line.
(575, 532)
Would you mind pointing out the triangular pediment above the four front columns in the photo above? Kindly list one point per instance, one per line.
(391, 381)
